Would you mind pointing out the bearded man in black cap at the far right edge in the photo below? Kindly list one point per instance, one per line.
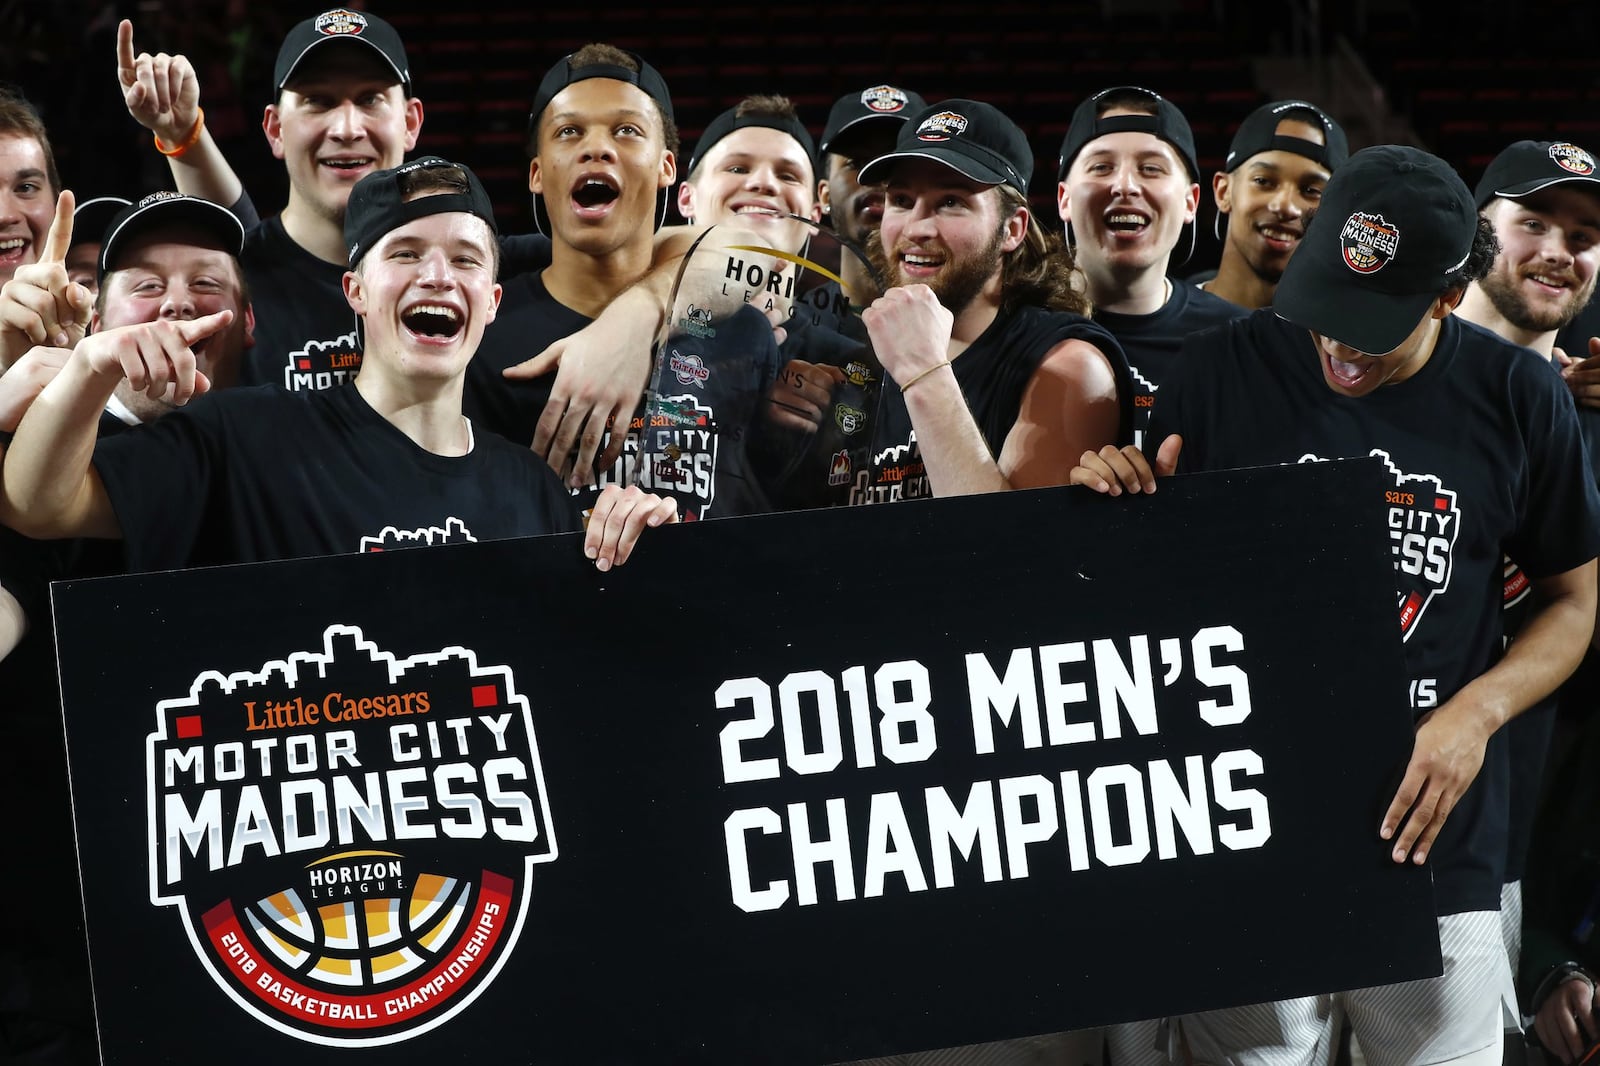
(1543, 199)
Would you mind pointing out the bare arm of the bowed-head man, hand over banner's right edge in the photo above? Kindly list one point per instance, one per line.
(1452, 739)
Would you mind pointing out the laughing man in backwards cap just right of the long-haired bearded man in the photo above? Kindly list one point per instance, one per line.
(1127, 190)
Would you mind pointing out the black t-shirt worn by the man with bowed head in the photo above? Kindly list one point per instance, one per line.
(1486, 459)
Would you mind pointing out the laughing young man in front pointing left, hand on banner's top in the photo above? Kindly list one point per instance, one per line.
(382, 462)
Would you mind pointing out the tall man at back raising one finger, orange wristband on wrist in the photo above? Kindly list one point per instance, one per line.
(343, 108)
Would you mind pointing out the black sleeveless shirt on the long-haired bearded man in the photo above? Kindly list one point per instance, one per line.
(994, 374)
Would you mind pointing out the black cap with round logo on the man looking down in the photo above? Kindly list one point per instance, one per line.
(1393, 226)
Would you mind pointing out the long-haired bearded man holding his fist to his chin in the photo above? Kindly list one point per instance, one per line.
(996, 377)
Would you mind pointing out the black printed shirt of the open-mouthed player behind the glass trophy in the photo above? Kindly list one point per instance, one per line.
(692, 444)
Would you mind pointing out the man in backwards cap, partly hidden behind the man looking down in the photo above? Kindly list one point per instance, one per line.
(1271, 183)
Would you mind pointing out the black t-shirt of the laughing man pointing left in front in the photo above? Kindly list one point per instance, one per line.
(260, 475)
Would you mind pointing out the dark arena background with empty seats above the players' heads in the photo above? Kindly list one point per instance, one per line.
(1462, 79)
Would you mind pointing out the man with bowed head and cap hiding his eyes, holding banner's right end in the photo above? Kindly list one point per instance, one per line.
(1362, 356)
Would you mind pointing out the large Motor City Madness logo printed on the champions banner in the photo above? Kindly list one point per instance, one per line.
(350, 838)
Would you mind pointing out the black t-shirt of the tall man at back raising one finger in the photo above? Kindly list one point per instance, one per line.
(306, 335)
